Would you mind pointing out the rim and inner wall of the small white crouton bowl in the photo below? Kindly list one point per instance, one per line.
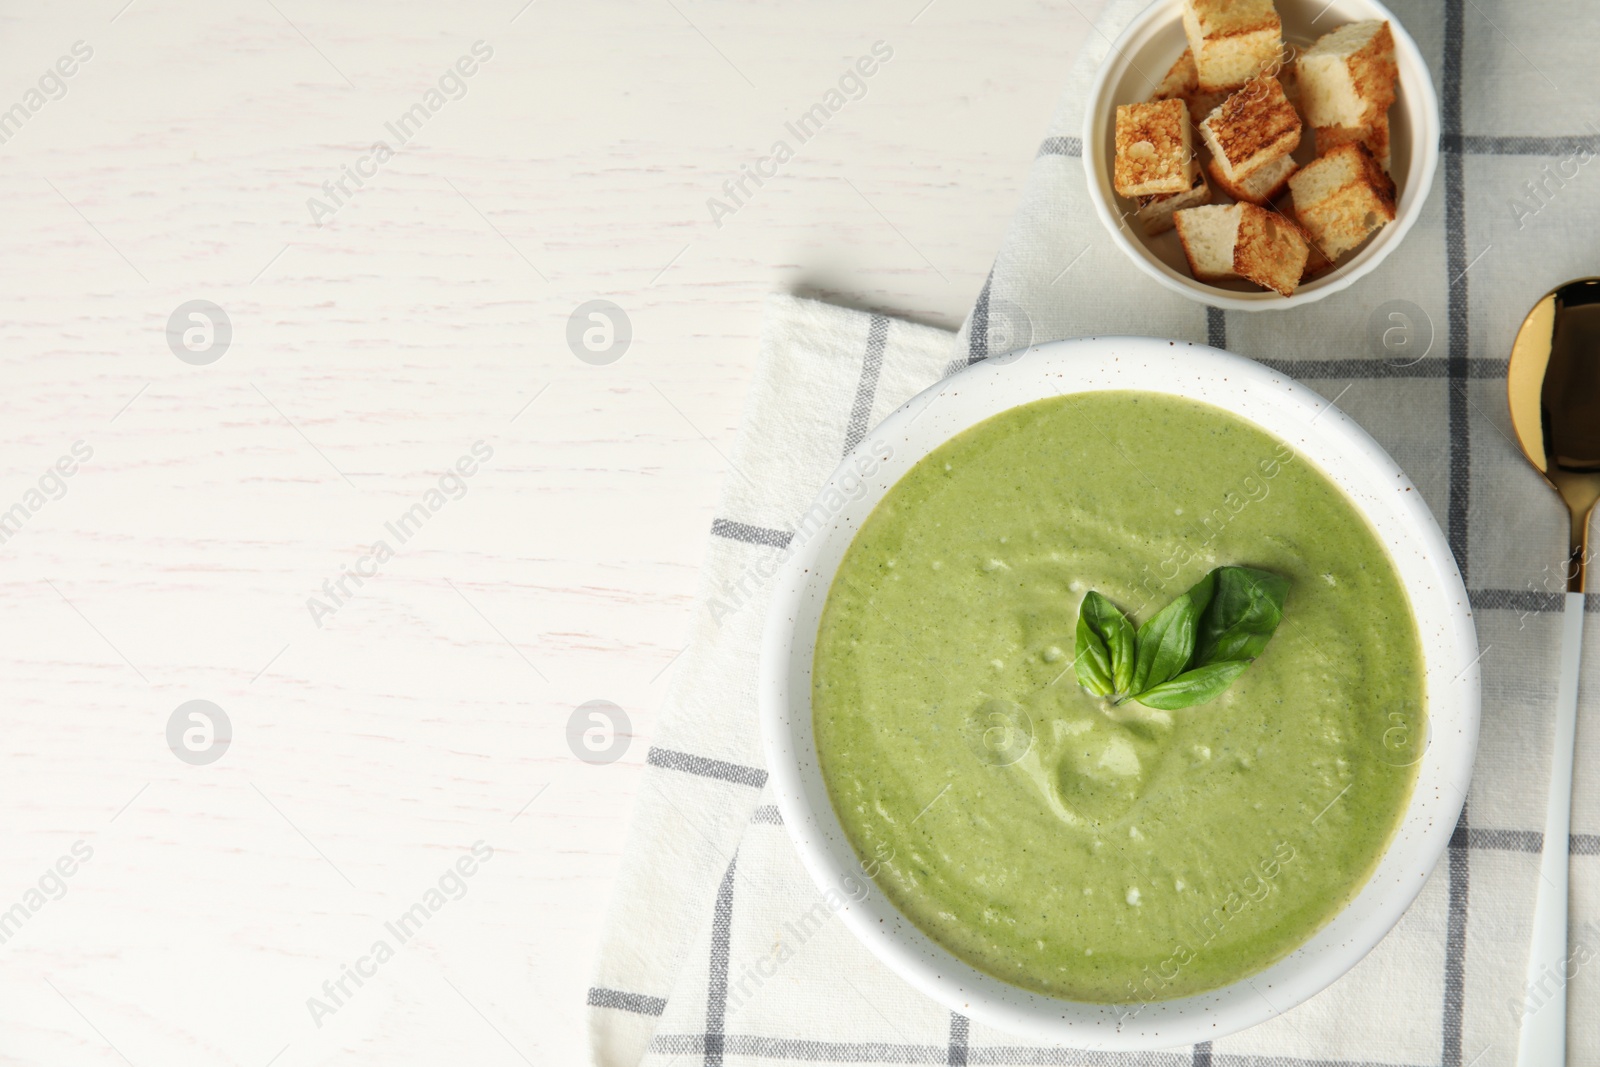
(1417, 100)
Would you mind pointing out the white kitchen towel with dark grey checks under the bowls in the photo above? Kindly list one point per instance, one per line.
(721, 949)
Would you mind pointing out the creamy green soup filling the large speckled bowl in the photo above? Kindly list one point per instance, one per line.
(1076, 845)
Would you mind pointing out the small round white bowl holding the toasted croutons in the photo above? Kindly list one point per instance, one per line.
(1153, 42)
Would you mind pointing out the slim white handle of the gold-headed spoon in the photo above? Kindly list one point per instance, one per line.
(1543, 1041)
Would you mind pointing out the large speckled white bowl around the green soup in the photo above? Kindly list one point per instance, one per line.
(1322, 436)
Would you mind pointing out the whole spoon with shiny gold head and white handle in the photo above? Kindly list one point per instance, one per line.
(1554, 391)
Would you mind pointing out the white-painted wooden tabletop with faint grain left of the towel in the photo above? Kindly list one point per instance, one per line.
(422, 709)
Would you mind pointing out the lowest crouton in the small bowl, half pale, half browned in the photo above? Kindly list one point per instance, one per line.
(1242, 241)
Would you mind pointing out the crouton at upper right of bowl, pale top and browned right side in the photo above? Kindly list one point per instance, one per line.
(1348, 78)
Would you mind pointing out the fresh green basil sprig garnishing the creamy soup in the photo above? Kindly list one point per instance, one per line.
(1188, 652)
